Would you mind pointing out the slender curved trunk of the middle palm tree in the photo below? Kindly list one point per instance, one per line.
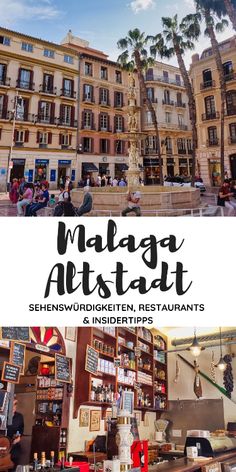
(191, 105)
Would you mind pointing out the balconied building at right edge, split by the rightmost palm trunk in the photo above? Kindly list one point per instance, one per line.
(208, 101)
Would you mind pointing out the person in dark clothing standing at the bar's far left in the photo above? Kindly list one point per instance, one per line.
(14, 432)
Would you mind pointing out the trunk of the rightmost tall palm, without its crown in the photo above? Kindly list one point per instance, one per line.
(220, 70)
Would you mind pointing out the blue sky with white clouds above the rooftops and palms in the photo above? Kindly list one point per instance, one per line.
(101, 22)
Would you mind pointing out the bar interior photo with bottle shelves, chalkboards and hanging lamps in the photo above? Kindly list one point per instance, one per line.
(110, 399)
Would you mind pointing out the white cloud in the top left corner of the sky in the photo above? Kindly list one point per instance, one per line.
(14, 10)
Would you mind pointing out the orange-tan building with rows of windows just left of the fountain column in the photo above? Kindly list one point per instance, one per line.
(101, 116)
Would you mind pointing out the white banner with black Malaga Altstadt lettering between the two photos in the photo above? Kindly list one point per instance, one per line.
(204, 263)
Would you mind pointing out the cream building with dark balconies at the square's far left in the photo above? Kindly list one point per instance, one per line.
(39, 89)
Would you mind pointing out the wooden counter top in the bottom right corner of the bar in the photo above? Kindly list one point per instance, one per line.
(186, 465)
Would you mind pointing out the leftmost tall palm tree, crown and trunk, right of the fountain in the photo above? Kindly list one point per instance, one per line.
(135, 55)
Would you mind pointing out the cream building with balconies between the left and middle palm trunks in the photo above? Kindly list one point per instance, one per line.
(167, 93)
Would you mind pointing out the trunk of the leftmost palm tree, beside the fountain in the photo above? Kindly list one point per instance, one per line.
(150, 108)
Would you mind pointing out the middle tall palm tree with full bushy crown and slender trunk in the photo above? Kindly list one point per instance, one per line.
(175, 39)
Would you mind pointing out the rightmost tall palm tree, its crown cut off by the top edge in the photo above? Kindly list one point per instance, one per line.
(209, 9)
